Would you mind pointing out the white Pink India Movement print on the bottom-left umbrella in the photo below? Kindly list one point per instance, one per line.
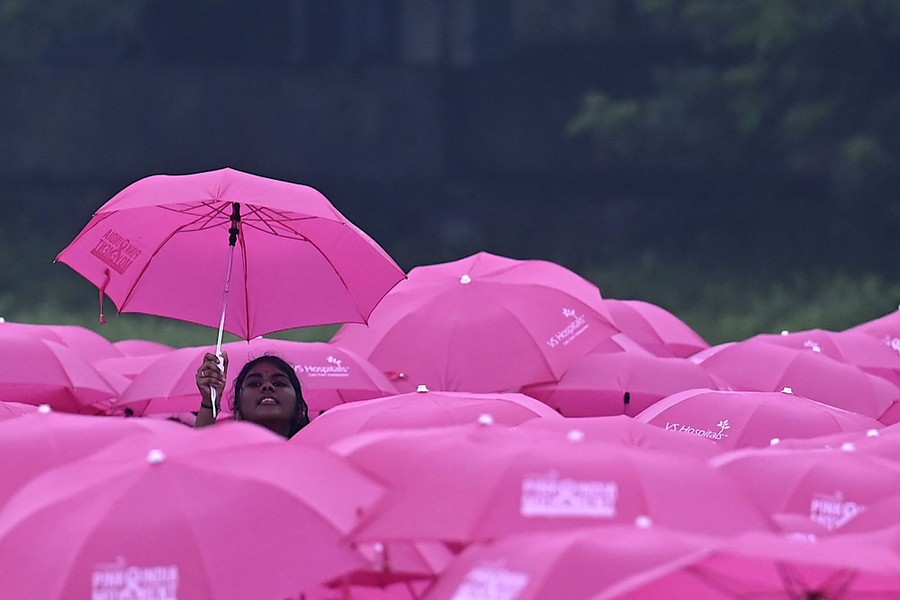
(116, 581)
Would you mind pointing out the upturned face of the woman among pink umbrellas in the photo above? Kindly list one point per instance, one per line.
(267, 395)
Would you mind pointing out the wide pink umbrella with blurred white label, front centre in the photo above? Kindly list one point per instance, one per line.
(463, 485)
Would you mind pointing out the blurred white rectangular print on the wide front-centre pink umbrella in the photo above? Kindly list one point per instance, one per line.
(550, 496)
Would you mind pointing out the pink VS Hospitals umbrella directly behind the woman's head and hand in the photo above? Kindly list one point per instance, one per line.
(328, 375)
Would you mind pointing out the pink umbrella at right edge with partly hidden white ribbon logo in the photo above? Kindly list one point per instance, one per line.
(832, 488)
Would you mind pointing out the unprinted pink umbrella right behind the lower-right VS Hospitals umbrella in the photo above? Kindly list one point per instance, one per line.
(757, 366)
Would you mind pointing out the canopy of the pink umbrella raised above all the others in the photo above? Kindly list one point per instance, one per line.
(297, 260)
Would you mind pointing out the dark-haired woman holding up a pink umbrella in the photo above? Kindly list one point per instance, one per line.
(266, 392)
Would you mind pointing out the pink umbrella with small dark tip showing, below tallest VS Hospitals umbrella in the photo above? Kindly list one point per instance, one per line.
(618, 383)
